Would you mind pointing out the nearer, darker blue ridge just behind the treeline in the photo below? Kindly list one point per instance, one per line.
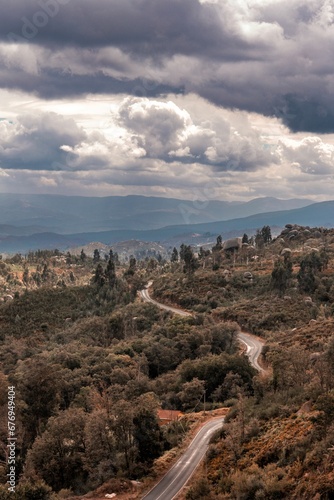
(318, 214)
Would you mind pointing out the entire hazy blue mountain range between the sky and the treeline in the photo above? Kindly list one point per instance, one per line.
(38, 215)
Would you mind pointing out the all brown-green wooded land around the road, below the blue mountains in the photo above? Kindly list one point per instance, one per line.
(91, 364)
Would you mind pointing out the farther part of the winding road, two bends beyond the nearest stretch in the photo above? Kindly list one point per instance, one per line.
(253, 344)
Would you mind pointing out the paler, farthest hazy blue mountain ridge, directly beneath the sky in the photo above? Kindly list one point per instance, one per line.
(78, 214)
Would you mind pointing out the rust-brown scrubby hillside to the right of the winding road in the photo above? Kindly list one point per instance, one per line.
(278, 440)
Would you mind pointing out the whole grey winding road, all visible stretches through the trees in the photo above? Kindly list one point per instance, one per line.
(177, 477)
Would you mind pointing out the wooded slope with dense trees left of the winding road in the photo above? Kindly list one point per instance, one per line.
(91, 365)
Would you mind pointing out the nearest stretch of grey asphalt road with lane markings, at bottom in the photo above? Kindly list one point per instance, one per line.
(177, 477)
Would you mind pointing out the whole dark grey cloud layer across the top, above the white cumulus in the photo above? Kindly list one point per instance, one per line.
(273, 58)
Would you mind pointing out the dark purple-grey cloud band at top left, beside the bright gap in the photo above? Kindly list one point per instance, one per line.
(143, 27)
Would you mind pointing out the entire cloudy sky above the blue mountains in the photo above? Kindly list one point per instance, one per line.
(229, 99)
